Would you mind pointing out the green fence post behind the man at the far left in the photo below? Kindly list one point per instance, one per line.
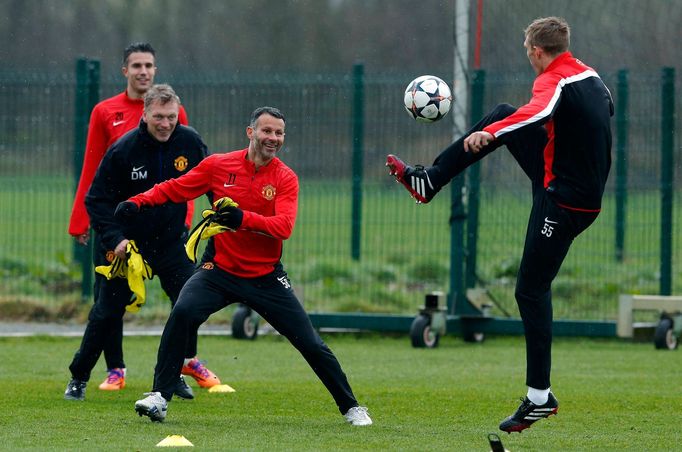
(87, 95)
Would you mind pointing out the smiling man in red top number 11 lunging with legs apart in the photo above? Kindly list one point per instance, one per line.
(242, 265)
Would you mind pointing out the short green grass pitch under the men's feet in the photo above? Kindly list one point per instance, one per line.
(614, 395)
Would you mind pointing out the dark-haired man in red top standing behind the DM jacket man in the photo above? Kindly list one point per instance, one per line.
(110, 120)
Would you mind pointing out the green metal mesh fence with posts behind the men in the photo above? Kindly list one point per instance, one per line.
(360, 244)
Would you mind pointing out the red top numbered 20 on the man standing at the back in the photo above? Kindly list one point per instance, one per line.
(109, 120)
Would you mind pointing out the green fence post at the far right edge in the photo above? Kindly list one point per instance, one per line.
(667, 175)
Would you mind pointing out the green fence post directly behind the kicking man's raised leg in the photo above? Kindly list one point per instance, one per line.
(474, 179)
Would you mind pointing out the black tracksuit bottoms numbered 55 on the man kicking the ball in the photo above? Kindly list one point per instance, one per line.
(551, 230)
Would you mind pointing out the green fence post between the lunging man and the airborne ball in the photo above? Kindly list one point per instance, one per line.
(358, 135)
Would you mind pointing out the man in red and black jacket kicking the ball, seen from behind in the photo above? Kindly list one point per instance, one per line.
(562, 141)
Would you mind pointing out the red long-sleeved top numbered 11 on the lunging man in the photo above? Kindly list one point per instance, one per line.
(268, 197)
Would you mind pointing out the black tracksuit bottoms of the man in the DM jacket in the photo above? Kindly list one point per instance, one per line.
(105, 319)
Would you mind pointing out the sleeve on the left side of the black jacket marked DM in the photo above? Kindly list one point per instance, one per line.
(102, 198)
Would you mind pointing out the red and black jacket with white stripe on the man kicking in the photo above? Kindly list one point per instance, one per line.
(575, 107)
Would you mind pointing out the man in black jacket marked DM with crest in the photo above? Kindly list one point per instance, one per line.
(159, 149)
